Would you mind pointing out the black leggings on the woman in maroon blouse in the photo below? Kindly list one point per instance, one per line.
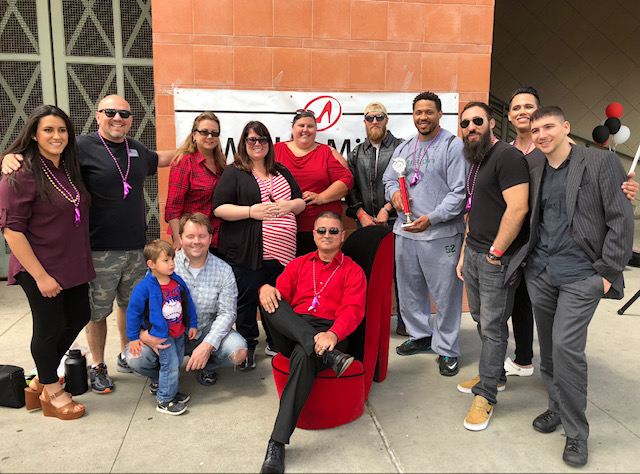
(56, 323)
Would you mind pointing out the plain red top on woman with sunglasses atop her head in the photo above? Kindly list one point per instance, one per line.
(315, 172)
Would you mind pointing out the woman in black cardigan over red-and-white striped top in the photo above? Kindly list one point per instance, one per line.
(258, 200)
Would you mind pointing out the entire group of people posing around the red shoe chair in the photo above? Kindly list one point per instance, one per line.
(265, 232)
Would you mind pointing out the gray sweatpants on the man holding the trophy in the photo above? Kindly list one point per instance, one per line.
(424, 268)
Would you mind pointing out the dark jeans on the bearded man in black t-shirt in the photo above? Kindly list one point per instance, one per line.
(490, 305)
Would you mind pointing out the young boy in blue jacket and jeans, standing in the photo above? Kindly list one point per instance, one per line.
(161, 303)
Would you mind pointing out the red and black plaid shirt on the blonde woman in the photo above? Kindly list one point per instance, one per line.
(191, 186)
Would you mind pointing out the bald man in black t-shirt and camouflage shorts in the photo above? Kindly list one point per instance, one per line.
(113, 168)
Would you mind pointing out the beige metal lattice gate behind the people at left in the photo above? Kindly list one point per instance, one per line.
(72, 53)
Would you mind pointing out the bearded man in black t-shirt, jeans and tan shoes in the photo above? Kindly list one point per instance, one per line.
(497, 204)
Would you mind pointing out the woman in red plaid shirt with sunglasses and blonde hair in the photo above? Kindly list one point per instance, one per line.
(195, 172)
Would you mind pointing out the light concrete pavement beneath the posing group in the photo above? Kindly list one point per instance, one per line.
(413, 420)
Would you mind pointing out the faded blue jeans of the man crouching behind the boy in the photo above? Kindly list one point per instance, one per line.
(148, 364)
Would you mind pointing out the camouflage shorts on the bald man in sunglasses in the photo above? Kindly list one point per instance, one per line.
(117, 272)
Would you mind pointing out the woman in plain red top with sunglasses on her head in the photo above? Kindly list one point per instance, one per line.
(321, 172)
